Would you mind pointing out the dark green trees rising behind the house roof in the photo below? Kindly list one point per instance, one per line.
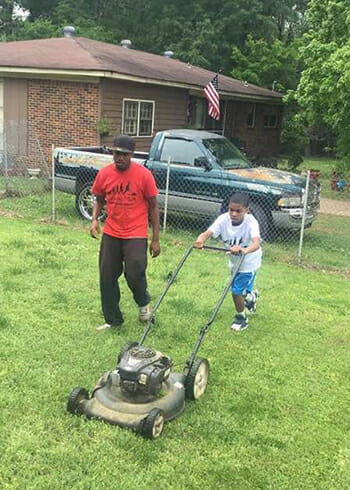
(199, 32)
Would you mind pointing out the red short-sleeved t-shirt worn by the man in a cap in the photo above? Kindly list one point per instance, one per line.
(126, 193)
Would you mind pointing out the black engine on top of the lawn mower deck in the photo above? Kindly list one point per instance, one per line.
(142, 371)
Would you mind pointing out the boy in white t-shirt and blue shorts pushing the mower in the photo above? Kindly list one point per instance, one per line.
(240, 233)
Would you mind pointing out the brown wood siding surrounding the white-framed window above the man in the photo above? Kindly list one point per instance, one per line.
(170, 107)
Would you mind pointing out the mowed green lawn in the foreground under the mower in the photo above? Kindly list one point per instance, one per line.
(276, 413)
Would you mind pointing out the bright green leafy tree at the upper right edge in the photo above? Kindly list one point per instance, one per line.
(324, 88)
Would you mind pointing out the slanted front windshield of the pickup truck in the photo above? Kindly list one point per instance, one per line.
(226, 154)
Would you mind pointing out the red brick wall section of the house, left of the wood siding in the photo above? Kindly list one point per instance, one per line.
(63, 113)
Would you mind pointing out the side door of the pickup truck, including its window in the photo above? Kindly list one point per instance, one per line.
(192, 190)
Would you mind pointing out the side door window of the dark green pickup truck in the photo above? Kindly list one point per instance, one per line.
(180, 151)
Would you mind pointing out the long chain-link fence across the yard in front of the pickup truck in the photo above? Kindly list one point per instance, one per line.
(299, 224)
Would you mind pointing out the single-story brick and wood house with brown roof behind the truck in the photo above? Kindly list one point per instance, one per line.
(70, 89)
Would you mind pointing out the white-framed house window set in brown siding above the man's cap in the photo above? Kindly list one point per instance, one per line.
(138, 117)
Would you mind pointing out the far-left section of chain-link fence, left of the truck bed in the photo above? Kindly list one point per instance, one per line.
(24, 170)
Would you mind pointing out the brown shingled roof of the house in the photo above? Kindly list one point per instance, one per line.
(71, 54)
